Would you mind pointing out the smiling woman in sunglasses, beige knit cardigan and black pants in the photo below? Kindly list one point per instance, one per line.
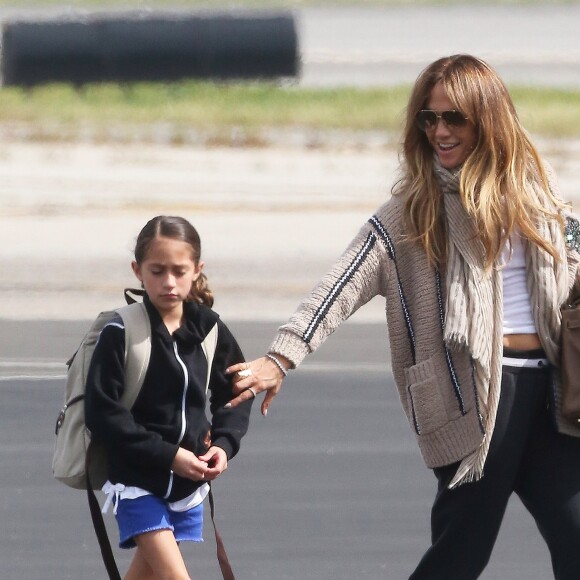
(474, 254)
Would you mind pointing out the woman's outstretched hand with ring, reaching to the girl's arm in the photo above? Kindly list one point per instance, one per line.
(254, 377)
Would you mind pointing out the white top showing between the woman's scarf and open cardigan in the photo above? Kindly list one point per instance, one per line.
(517, 308)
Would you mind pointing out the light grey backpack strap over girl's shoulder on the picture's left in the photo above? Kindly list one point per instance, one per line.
(137, 349)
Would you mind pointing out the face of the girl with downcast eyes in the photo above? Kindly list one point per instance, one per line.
(167, 273)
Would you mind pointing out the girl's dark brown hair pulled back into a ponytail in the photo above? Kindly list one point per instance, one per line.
(175, 228)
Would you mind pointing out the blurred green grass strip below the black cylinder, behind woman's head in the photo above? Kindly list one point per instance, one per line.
(62, 111)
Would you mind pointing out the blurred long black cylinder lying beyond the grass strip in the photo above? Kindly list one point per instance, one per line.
(151, 48)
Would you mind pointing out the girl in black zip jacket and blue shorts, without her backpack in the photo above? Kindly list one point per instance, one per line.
(159, 455)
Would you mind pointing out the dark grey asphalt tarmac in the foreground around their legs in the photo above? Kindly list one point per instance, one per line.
(330, 486)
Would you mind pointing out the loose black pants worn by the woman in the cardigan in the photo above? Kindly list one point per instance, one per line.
(527, 456)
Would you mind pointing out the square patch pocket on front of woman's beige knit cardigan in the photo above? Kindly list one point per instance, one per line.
(427, 407)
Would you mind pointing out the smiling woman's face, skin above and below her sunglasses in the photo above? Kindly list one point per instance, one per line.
(453, 144)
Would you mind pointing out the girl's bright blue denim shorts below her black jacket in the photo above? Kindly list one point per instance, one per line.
(149, 513)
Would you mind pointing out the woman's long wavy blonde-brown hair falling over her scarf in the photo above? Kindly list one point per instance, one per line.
(501, 178)
